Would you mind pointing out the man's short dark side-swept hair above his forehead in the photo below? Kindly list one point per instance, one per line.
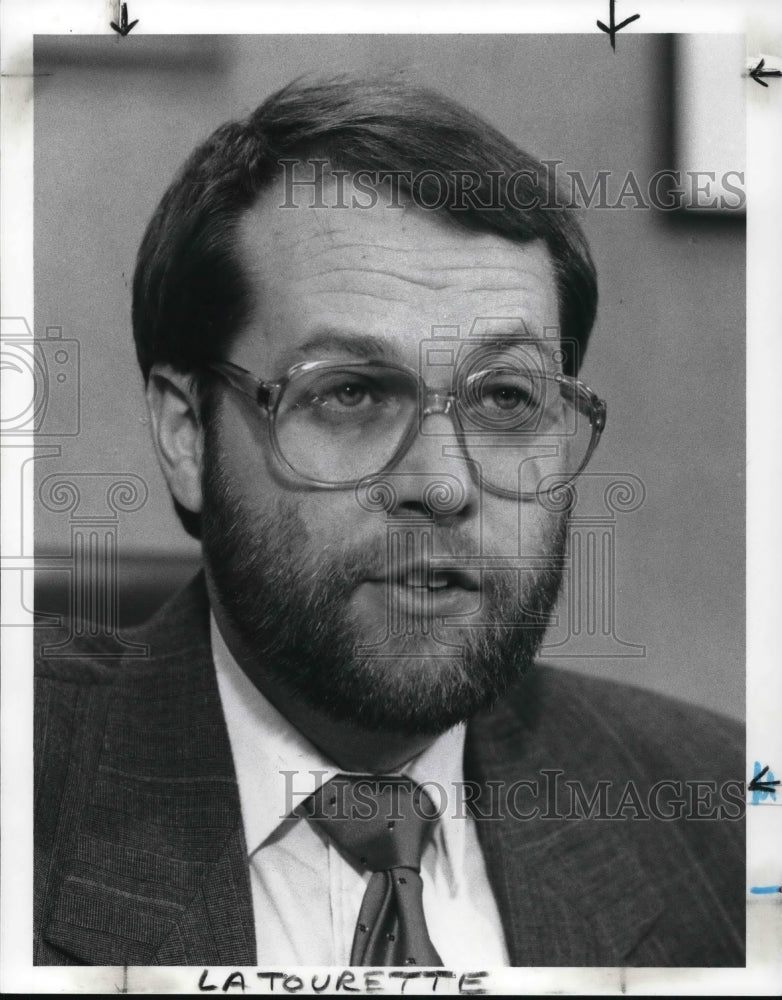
(190, 294)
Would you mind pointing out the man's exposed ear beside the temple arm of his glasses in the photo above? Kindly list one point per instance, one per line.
(177, 433)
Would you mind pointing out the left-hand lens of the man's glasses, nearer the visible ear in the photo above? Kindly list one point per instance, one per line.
(339, 424)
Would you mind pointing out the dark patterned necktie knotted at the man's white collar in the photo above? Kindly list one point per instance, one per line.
(383, 823)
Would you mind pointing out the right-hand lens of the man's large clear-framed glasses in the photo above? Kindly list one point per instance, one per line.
(525, 429)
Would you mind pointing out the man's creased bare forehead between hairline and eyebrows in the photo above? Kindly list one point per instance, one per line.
(377, 281)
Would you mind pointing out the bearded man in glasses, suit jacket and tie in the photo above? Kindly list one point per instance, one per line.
(360, 315)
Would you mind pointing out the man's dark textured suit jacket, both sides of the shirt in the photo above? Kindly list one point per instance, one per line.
(140, 856)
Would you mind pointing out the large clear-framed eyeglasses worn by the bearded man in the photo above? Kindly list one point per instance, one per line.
(335, 424)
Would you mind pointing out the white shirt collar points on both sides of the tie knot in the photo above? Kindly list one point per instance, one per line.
(277, 767)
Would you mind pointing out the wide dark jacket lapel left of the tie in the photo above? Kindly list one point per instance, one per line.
(157, 872)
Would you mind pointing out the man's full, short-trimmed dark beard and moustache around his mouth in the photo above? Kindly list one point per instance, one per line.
(289, 607)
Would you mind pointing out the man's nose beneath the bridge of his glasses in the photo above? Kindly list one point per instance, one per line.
(434, 479)
